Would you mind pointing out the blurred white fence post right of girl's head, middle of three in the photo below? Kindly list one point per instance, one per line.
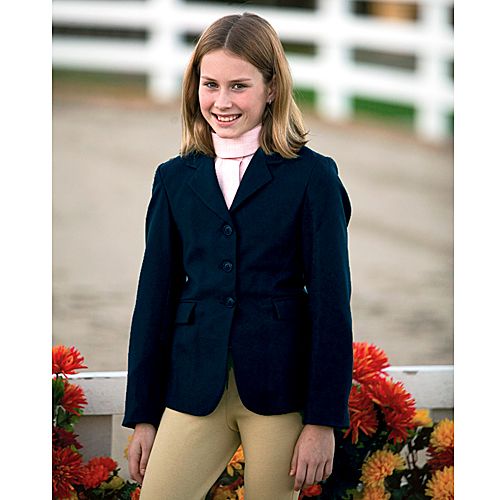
(333, 60)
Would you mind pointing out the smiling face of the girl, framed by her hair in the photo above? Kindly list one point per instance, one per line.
(232, 93)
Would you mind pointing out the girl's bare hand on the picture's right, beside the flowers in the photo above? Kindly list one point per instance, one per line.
(312, 459)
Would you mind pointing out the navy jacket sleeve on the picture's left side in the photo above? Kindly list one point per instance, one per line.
(158, 281)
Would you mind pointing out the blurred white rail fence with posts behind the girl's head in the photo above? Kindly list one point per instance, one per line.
(331, 72)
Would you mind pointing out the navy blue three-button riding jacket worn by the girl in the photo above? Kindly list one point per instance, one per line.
(267, 280)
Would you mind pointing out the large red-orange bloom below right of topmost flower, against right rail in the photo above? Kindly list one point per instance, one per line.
(397, 405)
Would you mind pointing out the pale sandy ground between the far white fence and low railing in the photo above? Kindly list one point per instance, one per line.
(105, 152)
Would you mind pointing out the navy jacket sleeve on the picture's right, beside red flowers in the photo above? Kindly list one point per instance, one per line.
(326, 214)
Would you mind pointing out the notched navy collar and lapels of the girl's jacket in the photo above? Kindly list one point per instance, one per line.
(204, 181)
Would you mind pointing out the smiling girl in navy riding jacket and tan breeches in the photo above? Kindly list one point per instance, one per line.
(241, 332)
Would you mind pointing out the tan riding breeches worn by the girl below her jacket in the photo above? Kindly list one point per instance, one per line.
(190, 452)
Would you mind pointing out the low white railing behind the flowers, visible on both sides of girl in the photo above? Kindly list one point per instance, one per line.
(100, 428)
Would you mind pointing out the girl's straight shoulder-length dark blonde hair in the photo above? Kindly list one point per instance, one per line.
(252, 38)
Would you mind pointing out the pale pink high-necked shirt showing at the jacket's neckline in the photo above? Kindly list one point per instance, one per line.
(232, 159)
